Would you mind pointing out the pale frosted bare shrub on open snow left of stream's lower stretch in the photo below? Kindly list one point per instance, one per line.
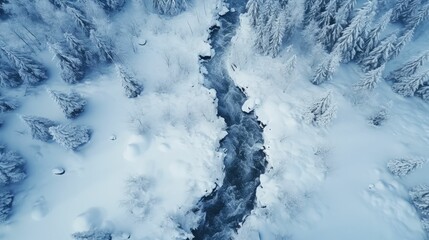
(138, 199)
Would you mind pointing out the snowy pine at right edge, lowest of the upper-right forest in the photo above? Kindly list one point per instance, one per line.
(408, 85)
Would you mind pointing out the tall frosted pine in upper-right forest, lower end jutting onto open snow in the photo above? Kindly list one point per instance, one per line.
(352, 38)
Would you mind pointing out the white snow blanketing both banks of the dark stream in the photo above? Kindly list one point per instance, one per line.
(153, 156)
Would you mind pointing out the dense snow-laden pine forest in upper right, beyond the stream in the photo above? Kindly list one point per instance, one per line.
(346, 34)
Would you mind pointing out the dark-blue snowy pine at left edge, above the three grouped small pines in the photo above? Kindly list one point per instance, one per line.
(29, 70)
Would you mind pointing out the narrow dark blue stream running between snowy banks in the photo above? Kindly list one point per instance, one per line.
(227, 206)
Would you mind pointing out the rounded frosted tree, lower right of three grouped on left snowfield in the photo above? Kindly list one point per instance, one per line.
(70, 136)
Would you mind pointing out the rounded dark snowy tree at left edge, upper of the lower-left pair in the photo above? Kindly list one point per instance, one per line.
(12, 168)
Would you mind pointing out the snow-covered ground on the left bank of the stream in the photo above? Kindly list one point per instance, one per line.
(168, 136)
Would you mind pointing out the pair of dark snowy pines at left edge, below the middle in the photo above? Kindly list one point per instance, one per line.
(12, 171)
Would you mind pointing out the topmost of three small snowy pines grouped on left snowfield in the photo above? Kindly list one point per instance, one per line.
(72, 104)
